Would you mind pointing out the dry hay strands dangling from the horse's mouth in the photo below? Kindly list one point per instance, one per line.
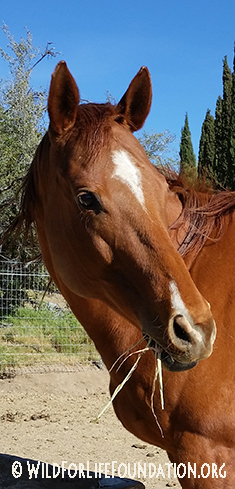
(158, 374)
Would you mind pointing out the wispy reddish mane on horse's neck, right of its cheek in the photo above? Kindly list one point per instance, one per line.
(204, 211)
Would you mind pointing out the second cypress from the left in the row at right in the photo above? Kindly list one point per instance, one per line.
(207, 147)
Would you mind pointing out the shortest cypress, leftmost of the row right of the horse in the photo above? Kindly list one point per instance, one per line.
(187, 156)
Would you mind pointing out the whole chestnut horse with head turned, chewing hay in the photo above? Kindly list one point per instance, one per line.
(109, 225)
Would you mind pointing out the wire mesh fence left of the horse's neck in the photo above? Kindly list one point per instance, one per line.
(37, 331)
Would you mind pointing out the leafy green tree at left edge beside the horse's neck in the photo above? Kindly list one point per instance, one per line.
(22, 111)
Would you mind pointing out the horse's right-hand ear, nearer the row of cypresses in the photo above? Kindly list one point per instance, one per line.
(136, 102)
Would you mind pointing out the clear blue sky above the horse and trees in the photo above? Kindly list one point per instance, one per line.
(105, 43)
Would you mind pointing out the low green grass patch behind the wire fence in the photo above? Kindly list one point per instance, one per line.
(37, 335)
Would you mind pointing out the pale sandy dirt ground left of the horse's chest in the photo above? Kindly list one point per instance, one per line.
(50, 417)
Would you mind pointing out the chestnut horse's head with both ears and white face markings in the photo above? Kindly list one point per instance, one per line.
(101, 214)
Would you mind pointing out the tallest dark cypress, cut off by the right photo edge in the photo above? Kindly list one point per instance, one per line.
(231, 142)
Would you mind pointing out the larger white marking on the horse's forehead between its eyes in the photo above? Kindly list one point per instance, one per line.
(127, 171)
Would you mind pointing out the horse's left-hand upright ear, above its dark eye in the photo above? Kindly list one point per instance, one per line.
(63, 99)
